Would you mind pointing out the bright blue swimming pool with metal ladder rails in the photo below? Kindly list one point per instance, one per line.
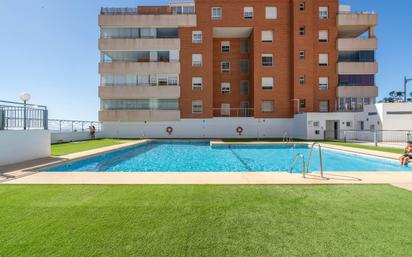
(201, 157)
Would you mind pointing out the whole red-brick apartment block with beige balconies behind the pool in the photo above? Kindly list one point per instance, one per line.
(234, 59)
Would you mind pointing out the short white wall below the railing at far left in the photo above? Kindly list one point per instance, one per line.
(19, 146)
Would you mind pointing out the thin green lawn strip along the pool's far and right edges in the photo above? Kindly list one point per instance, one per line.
(367, 147)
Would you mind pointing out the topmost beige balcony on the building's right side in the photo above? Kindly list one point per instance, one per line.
(351, 25)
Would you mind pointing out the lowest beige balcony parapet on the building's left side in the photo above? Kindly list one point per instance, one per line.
(139, 115)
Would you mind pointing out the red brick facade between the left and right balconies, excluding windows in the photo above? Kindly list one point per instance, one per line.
(287, 66)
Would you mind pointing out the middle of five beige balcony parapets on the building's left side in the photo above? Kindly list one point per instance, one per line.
(139, 67)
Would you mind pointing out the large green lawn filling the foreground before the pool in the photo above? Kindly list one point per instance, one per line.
(165, 220)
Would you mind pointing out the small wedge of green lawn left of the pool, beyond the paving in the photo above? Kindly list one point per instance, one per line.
(74, 147)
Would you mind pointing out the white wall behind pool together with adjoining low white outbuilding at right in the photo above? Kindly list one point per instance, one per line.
(311, 126)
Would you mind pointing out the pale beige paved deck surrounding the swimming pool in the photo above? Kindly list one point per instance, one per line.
(26, 173)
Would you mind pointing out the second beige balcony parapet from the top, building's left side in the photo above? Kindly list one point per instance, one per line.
(144, 44)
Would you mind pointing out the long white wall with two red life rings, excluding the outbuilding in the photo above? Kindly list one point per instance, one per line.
(198, 128)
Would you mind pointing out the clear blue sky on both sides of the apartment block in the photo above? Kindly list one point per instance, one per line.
(49, 49)
